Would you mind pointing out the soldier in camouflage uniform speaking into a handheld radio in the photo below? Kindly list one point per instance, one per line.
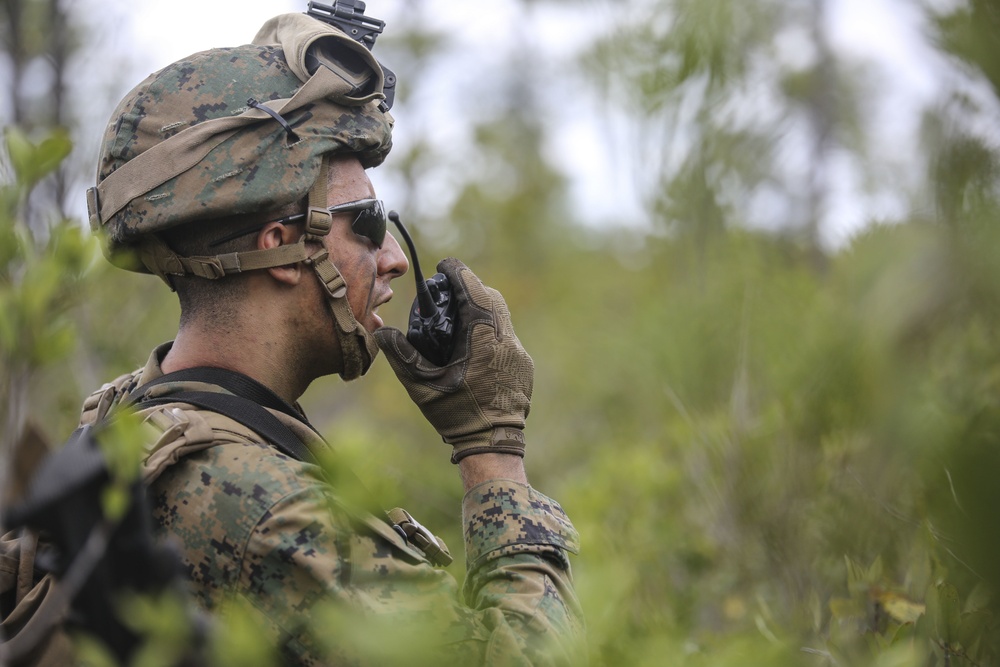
(238, 177)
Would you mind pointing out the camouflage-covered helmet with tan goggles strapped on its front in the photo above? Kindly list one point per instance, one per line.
(192, 141)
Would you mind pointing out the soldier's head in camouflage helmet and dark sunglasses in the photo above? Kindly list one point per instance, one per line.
(227, 162)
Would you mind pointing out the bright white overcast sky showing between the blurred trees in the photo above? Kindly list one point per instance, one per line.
(154, 33)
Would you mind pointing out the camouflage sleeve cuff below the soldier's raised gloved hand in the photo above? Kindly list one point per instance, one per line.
(503, 517)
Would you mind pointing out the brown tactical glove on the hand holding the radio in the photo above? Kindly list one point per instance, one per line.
(478, 400)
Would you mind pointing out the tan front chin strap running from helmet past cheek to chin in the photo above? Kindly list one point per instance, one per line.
(357, 345)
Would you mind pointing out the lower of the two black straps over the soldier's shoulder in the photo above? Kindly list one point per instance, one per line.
(244, 411)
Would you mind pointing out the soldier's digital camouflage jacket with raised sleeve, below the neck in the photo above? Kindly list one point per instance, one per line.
(334, 584)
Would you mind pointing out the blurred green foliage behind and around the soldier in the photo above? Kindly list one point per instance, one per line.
(774, 455)
